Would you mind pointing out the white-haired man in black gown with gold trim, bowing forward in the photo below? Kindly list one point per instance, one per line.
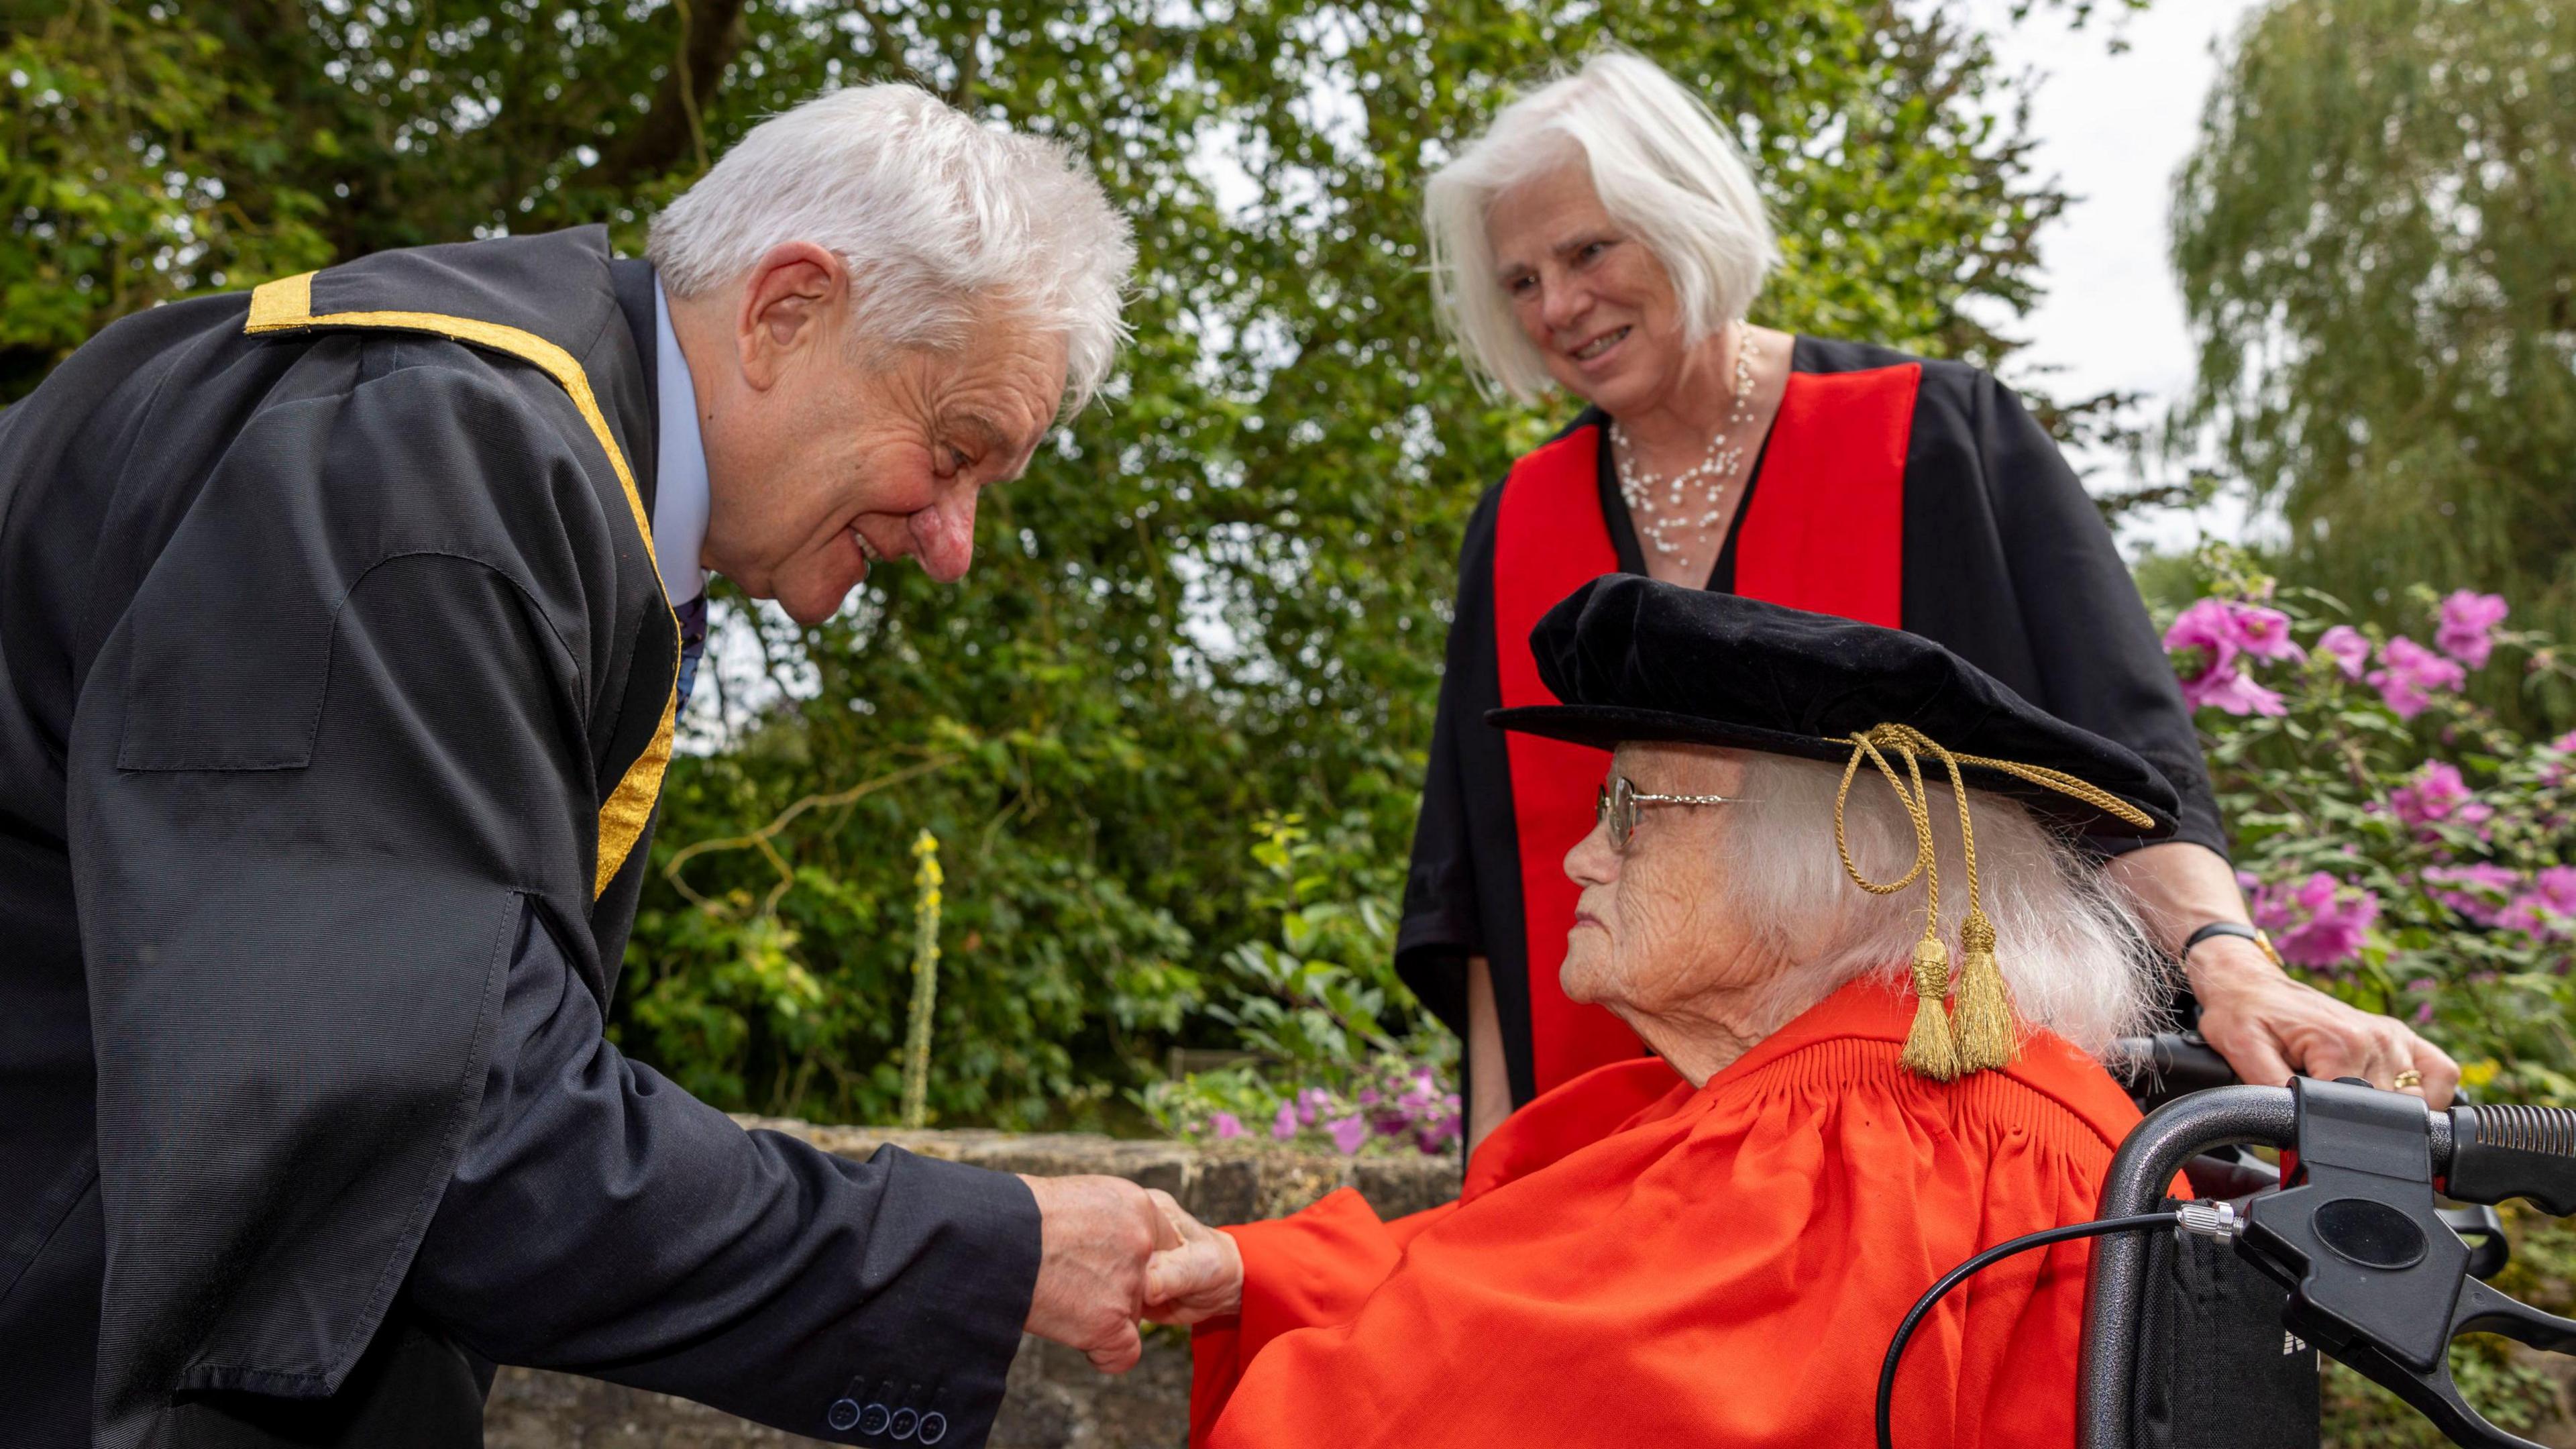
(341, 641)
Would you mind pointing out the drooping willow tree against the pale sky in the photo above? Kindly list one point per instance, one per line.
(2379, 254)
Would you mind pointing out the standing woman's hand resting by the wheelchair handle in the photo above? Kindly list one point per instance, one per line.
(2268, 1027)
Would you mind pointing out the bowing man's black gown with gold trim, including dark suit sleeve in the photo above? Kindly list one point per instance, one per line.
(336, 687)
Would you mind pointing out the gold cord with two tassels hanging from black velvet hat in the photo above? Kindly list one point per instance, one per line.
(1980, 1033)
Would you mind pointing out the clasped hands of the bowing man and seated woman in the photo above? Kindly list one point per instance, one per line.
(1117, 1254)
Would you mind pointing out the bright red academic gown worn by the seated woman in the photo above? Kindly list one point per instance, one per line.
(1640, 1265)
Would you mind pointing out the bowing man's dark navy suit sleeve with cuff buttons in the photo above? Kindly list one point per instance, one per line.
(609, 1223)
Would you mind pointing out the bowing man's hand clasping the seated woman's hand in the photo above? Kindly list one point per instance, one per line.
(1096, 1236)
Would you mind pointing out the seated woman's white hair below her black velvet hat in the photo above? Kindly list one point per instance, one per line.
(2067, 942)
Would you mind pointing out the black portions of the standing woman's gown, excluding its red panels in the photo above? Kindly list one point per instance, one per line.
(2003, 558)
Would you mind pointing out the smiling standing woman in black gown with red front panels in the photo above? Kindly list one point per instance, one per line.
(1606, 238)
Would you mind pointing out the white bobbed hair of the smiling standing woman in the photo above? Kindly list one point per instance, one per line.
(1663, 169)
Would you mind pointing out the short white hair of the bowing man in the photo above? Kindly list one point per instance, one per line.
(947, 226)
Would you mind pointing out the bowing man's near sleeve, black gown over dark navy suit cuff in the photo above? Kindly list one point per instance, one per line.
(331, 767)
